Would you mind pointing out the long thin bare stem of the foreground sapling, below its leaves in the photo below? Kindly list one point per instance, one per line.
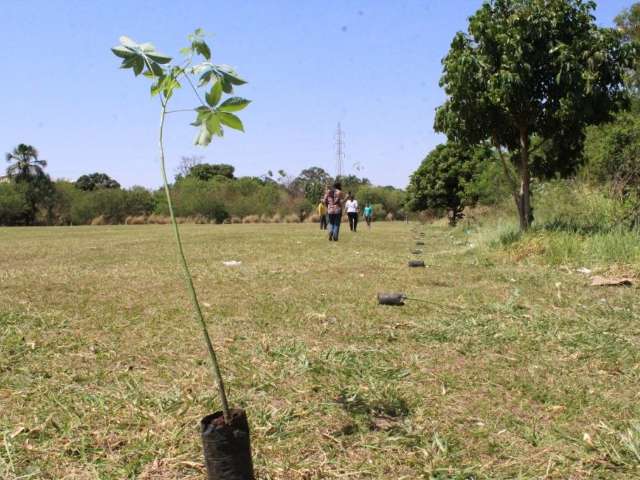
(187, 275)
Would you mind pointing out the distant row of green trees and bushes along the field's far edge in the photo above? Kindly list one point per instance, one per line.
(202, 193)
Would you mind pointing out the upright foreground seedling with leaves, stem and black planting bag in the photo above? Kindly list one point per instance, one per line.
(225, 434)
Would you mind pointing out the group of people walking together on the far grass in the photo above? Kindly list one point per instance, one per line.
(330, 211)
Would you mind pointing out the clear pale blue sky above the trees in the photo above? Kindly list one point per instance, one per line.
(372, 65)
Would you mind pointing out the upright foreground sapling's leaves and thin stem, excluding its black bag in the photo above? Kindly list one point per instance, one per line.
(209, 83)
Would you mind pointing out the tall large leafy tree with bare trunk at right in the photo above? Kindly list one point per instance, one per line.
(531, 69)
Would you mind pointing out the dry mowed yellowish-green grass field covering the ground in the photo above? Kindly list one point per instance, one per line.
(508, 369)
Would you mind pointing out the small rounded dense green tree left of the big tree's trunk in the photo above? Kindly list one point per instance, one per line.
(444, 178)
